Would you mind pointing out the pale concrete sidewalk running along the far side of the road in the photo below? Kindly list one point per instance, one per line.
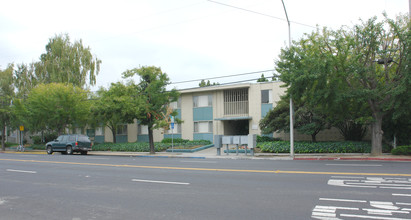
(211, 153)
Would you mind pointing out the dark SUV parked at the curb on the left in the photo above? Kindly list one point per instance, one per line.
(67, 144)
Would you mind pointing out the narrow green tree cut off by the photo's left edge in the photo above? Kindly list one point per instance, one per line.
(6, 96)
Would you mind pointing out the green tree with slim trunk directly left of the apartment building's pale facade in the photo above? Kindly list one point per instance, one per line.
(156, 99)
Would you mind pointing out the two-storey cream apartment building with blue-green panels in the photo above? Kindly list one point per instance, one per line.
(208, 111)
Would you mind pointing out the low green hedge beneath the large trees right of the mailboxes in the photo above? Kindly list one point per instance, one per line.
(318, 147)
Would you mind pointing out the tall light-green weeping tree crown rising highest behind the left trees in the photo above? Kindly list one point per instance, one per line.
(67, 62)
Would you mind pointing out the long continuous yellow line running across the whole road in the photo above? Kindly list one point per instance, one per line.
(213, 169)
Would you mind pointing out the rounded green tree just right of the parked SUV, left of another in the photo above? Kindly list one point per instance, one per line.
(119, 104)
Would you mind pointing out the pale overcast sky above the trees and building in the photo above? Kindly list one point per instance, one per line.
(188, 39)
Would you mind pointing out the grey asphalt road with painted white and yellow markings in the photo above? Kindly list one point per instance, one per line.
(79, 187)
